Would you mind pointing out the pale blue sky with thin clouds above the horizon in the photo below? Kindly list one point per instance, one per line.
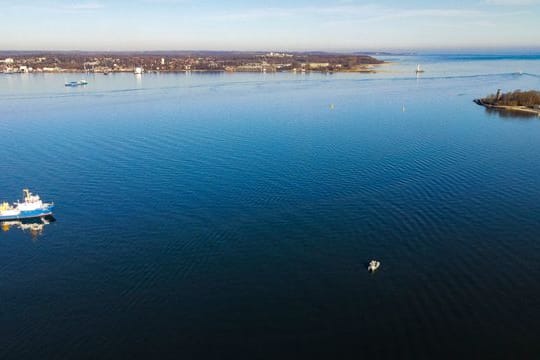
(268, 25)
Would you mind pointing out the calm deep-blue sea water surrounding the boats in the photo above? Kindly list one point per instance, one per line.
(233, 215)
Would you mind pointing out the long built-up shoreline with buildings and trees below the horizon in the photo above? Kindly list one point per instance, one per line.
(182, 61)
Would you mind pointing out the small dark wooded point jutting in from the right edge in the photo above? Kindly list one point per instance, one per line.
(519, 101)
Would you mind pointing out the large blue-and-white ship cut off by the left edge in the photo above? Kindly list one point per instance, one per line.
(31, 207)
